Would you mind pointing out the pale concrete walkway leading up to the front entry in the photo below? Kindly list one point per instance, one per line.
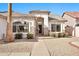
(40, 49)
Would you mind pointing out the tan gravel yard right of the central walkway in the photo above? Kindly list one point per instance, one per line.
(61, 47)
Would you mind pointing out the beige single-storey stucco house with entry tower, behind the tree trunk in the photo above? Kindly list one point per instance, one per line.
(36, 22)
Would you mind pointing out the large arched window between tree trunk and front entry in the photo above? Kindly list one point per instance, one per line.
(19, 27)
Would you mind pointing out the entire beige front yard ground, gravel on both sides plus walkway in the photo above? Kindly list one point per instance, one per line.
(42, 47)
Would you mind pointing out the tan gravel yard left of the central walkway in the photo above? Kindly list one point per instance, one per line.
(17, 48)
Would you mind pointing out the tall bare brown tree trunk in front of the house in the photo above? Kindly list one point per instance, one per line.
(9, 33)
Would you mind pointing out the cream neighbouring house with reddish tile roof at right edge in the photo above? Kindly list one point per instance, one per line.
(72, 21)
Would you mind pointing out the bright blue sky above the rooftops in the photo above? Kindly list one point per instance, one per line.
(56, 8)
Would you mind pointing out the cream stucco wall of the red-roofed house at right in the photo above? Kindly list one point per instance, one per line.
(70, 21)
